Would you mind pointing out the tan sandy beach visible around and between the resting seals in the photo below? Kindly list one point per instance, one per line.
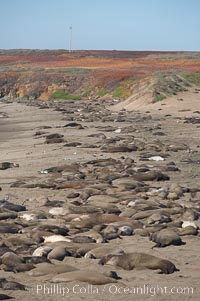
(20, 144)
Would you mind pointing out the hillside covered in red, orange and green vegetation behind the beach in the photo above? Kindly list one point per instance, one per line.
(121, 75)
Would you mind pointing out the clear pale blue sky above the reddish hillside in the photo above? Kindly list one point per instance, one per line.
(100, 24)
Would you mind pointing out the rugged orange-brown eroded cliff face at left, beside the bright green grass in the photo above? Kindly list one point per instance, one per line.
(39, 85)
